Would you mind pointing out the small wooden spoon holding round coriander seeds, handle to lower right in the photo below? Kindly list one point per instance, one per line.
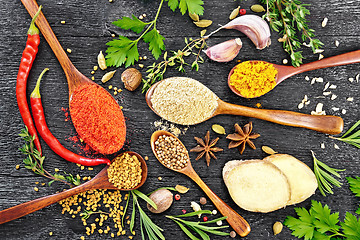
(238, 223)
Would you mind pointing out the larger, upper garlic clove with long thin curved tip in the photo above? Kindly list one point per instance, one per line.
(253, 26)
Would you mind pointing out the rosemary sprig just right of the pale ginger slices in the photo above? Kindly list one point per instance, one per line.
(323, 176)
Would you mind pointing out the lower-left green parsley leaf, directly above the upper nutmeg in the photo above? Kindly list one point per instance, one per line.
(121, 51)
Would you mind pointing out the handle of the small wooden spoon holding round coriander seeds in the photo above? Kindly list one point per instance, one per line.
(238, 223)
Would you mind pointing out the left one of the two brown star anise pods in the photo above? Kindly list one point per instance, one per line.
(206, 148)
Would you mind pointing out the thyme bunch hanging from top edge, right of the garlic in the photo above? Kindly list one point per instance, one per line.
(288, 17)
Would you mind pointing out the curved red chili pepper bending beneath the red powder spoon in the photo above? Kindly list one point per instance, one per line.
(54, 144)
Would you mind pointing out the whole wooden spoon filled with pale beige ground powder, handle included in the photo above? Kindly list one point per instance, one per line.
(186, 101)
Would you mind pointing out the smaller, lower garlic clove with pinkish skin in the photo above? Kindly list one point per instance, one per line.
(225, 51)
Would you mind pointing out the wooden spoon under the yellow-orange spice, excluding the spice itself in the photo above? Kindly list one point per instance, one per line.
(285, 72)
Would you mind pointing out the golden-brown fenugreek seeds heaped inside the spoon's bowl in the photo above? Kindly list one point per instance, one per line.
(125, 171)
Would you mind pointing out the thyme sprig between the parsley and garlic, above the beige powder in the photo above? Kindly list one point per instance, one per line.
(156, 71)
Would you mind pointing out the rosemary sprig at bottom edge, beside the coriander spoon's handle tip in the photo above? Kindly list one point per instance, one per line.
(200, 228)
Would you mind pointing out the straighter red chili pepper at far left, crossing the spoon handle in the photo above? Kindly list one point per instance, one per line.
(27, 59)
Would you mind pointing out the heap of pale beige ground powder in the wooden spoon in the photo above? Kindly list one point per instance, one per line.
(183, 101)
